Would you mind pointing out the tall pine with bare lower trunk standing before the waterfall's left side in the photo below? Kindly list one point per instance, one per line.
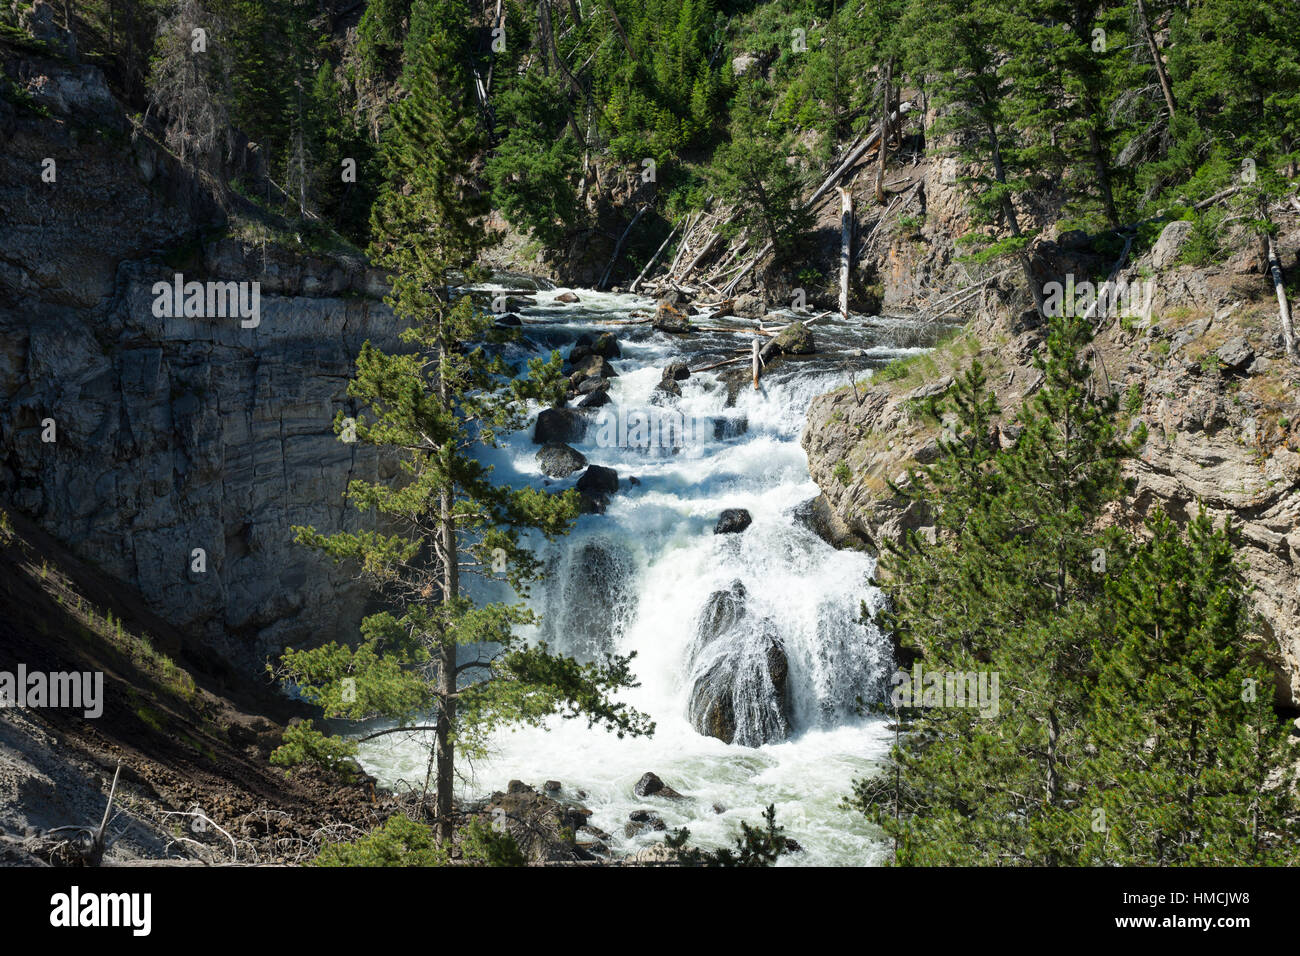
(435, 406)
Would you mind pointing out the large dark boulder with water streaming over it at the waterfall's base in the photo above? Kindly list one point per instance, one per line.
(740, 674)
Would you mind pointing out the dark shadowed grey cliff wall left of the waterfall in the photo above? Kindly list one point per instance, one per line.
(171, 434)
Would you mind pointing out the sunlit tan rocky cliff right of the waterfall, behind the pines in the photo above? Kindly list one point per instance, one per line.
(1207, 375)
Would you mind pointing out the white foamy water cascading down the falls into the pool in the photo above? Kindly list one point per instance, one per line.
(640, 577)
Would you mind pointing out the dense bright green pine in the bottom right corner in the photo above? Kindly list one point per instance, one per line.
(1185, 738)
